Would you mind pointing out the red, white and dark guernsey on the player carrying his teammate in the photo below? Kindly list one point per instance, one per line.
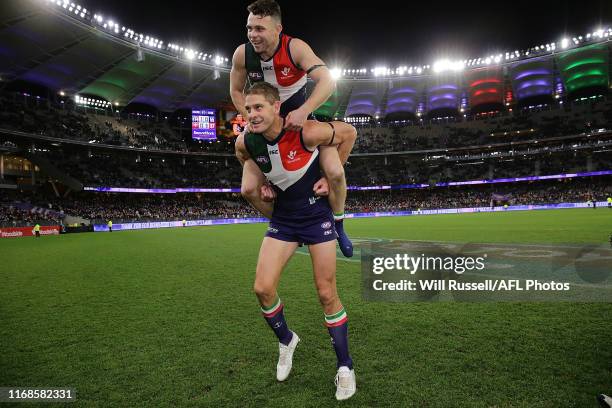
(292, 170)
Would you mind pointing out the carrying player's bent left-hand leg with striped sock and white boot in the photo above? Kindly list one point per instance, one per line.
(273, 256)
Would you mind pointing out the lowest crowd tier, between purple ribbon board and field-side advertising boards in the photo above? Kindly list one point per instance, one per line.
(27, 208)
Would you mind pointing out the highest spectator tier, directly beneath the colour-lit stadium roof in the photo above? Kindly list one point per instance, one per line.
(43, 120)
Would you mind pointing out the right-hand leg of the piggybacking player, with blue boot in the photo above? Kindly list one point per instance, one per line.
(334, 173)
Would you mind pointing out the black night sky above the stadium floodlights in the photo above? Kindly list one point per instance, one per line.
(385, 34)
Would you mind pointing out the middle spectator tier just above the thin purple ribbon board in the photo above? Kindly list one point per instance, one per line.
(129, 169)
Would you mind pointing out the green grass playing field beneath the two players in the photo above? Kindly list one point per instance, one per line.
(168, 318)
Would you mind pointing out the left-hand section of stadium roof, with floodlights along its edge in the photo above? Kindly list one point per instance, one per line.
(51, 49)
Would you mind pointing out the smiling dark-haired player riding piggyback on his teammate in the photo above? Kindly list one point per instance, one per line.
(285, 62)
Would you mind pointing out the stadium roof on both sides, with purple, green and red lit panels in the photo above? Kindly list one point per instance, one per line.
(57, 45)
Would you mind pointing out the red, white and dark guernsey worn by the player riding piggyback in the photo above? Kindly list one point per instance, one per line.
(279, 71)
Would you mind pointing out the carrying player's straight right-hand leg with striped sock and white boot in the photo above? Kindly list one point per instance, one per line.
(324, 268)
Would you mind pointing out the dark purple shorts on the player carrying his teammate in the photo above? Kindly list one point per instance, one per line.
(307, 230)
